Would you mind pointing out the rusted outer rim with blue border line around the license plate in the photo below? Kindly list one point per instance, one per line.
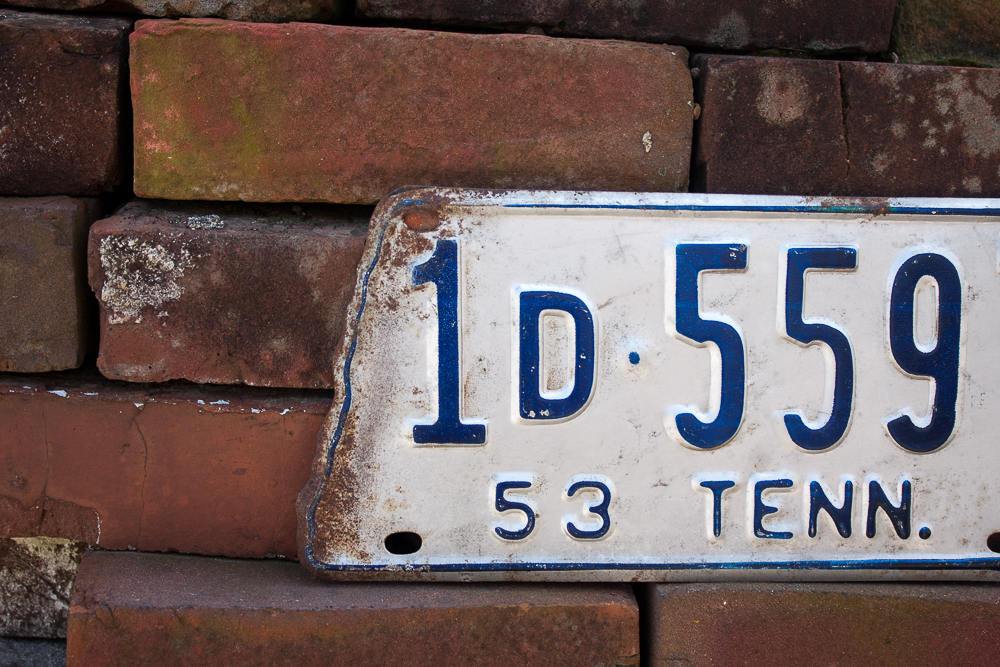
(420, 207)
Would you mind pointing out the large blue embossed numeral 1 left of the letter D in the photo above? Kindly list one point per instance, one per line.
(442, 270)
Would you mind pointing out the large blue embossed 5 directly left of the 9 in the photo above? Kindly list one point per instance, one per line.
(801, 260)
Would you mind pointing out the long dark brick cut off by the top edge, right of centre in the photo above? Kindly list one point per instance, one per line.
(818, 25)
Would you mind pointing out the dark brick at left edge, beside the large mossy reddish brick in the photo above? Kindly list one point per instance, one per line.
(61, 86)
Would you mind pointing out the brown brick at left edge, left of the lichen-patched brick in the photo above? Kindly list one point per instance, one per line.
(43, 286)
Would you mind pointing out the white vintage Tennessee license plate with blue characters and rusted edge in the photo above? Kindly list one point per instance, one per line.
(639, 387)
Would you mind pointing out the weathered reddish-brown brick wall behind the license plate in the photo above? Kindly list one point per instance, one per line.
(184, 189)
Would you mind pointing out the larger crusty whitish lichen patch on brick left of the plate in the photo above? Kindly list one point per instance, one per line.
(139, 275)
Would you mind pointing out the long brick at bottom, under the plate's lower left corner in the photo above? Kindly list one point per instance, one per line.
(135, 609)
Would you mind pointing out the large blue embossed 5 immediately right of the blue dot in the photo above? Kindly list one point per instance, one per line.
(692, 259)
